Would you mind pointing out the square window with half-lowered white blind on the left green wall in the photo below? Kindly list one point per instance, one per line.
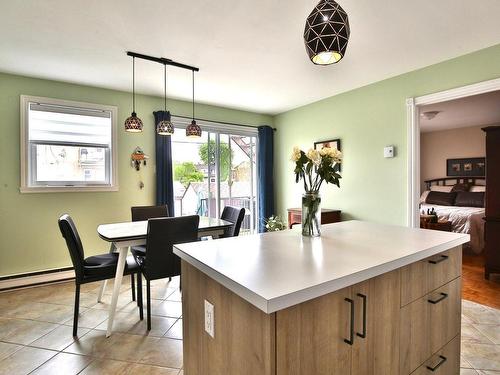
(67, 146)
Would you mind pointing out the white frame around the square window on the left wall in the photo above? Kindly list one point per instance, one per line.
(26, 186)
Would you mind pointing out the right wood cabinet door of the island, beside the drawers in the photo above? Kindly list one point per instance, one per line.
(376, 344)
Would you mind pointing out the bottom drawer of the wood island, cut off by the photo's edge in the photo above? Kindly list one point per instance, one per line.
(445, 362)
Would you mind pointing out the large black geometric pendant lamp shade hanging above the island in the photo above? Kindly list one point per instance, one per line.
(326, 33)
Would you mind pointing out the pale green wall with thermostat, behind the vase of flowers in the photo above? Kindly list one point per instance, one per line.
(366, 120)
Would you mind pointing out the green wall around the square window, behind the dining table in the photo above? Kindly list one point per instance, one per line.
(29, 236)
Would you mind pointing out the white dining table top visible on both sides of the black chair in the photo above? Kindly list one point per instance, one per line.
(131, 230)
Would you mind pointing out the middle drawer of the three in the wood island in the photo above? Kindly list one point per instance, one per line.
(428, 323)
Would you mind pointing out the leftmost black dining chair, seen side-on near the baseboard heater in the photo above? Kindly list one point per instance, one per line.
(91, 269)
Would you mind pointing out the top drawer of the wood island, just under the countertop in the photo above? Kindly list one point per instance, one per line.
(419, 278)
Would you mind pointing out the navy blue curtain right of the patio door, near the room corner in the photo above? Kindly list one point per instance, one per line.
(265, 178)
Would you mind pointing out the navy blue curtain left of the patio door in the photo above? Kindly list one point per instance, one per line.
(164, 176)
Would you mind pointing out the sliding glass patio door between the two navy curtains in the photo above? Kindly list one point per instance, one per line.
(215, 170)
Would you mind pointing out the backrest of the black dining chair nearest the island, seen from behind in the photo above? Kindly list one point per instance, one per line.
(163, 233)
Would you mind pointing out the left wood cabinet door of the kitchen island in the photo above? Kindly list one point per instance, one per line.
(311, 337)
